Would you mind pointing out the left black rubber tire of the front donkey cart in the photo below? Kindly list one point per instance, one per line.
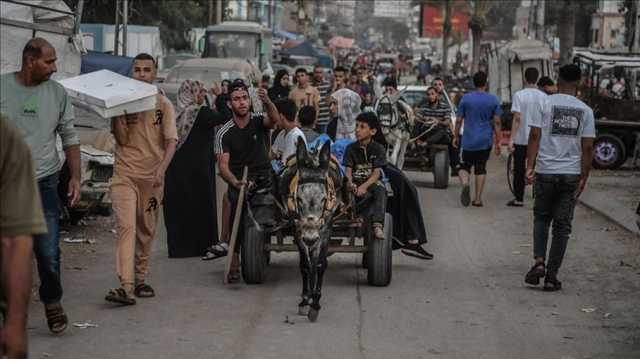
(253, 256)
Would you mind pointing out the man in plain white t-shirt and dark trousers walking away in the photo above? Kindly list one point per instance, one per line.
(526, 104)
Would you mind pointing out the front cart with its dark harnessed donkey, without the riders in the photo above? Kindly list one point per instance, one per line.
(311, 212)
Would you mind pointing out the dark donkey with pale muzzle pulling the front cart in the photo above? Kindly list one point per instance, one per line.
(312, 202)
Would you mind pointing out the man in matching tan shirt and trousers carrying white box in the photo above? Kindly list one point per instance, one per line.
(146, 143)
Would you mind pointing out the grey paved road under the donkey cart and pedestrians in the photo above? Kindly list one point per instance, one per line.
(470, 302)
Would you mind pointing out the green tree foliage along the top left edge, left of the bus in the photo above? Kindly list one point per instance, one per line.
(174, 18)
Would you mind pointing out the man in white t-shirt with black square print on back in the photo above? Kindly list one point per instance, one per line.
(559, 159)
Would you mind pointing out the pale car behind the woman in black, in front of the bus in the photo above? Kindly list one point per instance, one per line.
(208, 70)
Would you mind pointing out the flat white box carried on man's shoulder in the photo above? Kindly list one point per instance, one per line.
(109, 94)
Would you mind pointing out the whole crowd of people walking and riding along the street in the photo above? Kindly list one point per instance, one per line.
(169, 155)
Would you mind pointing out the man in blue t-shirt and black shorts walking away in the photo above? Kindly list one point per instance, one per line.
(480, 113)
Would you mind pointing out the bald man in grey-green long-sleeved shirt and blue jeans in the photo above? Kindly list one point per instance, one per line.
(41, 109)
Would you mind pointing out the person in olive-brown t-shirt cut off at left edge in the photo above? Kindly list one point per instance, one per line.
(20, 218)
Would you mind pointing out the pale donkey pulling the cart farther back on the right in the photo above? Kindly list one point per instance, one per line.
(396, 121)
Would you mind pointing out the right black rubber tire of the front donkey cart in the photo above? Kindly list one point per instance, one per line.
(379, 255)
